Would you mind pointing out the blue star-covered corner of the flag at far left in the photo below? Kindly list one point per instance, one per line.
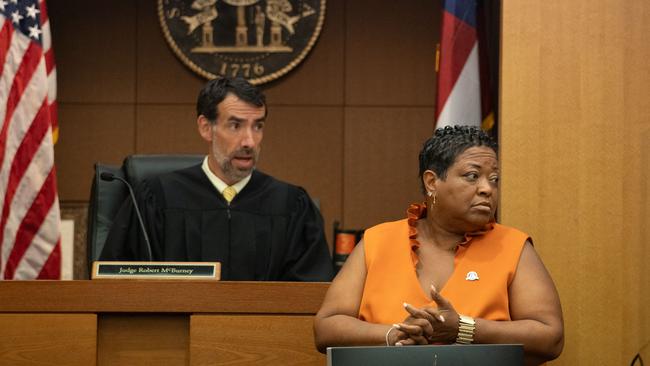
(24, 14)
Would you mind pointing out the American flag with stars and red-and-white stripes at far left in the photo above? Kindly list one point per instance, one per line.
(30, 218)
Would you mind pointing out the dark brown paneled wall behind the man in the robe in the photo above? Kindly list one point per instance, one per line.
(347, 124)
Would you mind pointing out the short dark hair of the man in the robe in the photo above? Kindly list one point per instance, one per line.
(216, 90)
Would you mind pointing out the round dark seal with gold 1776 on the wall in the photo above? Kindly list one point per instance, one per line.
(259, 40)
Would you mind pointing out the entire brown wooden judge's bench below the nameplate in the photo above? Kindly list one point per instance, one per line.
(119, 322)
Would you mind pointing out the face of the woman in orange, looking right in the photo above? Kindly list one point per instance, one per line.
(467, 198)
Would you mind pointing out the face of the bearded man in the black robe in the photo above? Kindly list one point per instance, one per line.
(234, 139)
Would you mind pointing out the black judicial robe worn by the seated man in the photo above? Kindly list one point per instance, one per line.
(270, 231)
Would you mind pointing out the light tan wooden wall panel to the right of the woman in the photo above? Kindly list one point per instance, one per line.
(575, 136)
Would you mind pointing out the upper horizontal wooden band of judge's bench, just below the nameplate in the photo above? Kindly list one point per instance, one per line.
(161, 296)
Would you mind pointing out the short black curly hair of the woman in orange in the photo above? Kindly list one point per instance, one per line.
(441, 150)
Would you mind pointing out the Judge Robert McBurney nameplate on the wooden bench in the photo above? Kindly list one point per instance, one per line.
(156, 270)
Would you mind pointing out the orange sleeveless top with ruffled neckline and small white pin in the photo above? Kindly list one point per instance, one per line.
(484, 267)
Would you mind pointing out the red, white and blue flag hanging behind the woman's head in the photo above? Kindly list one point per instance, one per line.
(459, 85)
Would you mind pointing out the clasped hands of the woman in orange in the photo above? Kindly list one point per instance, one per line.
(430, 325)
